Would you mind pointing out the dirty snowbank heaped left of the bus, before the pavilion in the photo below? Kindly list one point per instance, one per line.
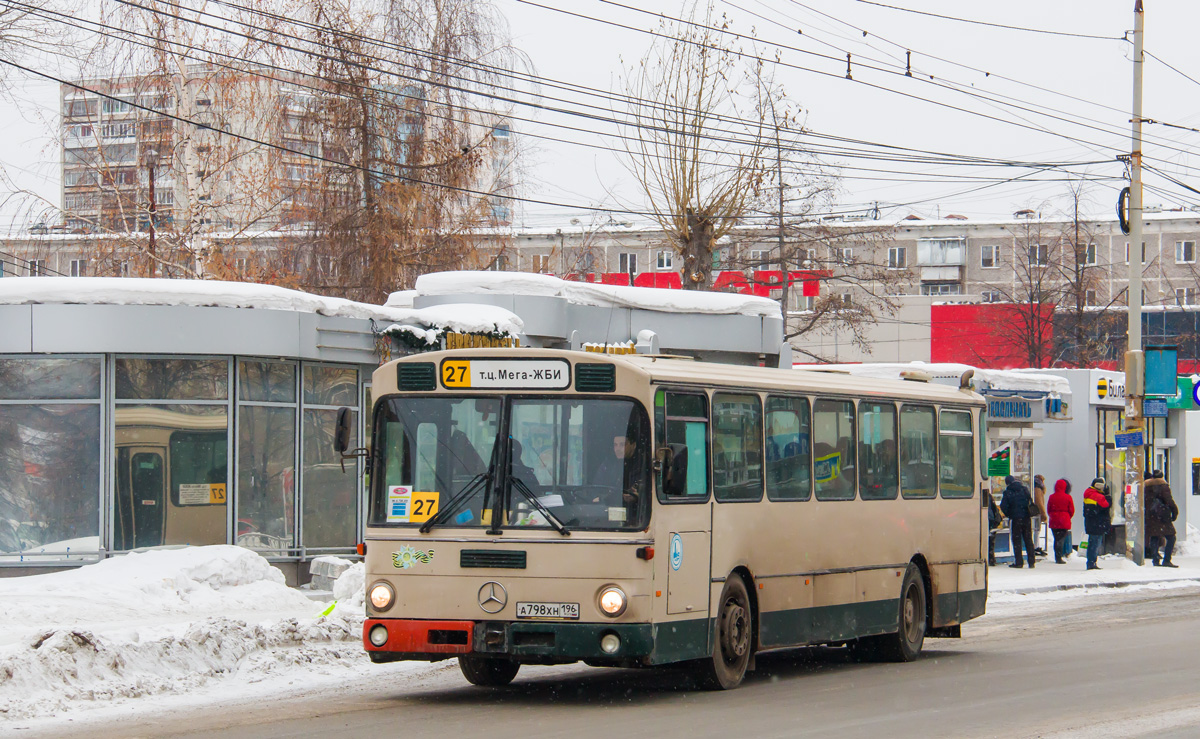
(155, 623)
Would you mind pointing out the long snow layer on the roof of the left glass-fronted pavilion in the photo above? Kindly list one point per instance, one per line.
(213, 293)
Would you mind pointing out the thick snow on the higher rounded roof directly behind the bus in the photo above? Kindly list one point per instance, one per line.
(591, 295)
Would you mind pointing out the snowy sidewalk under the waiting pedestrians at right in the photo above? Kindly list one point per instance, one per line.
(1115, 573)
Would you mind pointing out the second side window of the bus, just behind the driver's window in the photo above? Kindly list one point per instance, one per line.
(737, 447)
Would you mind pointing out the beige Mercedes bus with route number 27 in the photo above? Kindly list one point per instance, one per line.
(542, 507)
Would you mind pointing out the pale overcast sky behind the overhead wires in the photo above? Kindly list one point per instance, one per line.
(1070, 100)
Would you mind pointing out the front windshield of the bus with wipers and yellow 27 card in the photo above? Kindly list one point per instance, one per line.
(585, 461)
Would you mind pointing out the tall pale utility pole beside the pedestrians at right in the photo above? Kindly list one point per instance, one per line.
(1135, 357)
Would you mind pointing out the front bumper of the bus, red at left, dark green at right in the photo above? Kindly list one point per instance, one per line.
(524, 641)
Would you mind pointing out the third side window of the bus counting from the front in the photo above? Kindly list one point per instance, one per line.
(789, 449)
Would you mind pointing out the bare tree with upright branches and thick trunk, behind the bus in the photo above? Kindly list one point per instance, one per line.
(697, 137)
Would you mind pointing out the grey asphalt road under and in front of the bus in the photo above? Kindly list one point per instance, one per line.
(1103, 666)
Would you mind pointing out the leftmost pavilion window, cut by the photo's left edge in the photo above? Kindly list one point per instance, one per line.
(50, 467)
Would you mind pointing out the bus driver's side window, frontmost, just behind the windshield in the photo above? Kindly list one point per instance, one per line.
(682, 452)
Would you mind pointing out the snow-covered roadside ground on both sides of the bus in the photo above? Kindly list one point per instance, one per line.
(211, 626)
